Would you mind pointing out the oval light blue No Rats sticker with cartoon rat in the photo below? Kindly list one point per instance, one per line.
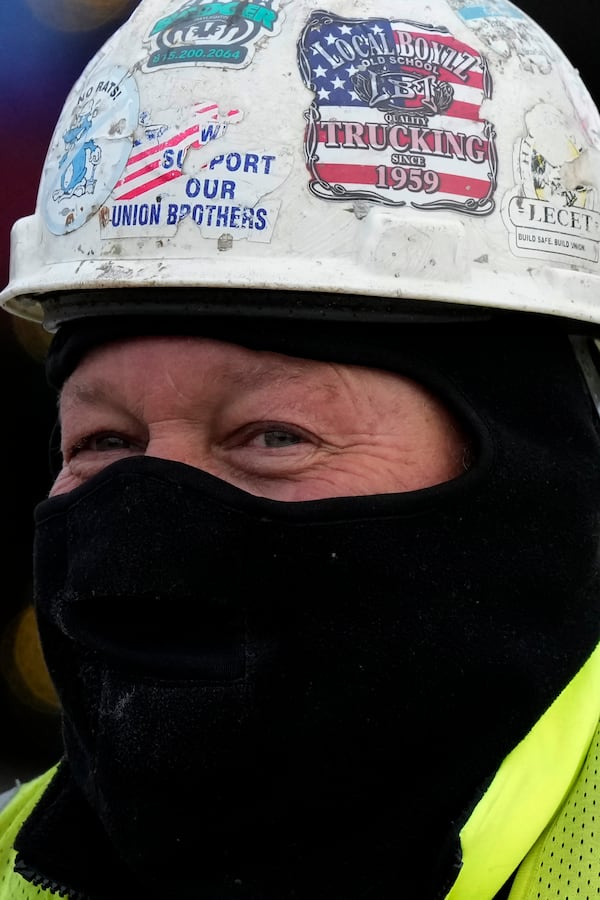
(89, 149)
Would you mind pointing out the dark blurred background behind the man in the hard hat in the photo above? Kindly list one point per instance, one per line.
(44, 45)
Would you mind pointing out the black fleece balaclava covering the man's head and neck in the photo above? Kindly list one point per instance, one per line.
(269, 700)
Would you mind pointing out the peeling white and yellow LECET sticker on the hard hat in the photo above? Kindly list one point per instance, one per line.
(553, 211)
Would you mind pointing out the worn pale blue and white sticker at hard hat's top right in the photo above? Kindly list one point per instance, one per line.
(507, 31)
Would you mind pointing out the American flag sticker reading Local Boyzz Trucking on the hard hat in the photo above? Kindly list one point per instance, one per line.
(396, 115)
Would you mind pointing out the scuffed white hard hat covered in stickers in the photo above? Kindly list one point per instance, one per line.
(445, 151)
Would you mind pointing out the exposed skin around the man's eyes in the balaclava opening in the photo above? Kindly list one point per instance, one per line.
(276, 426)
